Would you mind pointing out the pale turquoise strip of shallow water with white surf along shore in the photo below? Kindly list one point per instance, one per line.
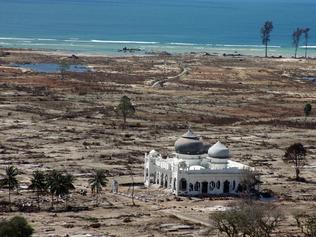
(141, 48)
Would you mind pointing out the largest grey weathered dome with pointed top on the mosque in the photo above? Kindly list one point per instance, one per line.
(189, 144)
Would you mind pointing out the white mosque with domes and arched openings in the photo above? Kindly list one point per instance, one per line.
(195, 169)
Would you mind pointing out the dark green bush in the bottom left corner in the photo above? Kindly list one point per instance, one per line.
(15, 227)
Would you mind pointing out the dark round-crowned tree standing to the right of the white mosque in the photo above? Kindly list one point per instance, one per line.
(295, 154)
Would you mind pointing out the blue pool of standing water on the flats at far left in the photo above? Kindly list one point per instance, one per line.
(52, 67)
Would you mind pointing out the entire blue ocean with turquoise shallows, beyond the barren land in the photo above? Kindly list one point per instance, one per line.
(176, 26)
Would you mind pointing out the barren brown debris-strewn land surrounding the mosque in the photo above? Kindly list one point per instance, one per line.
(253, 105)
